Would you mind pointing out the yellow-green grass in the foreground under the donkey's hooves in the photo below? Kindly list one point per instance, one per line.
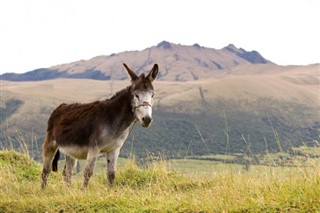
(161, 187)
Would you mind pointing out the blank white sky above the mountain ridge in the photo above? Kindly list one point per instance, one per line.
(43, 33)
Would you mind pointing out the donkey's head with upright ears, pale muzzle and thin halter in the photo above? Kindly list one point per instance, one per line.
(142, 94)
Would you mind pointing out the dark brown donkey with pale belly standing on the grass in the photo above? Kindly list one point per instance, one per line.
(82, 131)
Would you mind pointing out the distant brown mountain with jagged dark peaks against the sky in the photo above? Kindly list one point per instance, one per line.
(177, 63)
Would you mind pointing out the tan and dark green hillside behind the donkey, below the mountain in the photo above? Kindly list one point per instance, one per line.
(264, 107)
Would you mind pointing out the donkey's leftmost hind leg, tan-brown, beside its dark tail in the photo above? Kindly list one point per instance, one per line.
(49, 150)
